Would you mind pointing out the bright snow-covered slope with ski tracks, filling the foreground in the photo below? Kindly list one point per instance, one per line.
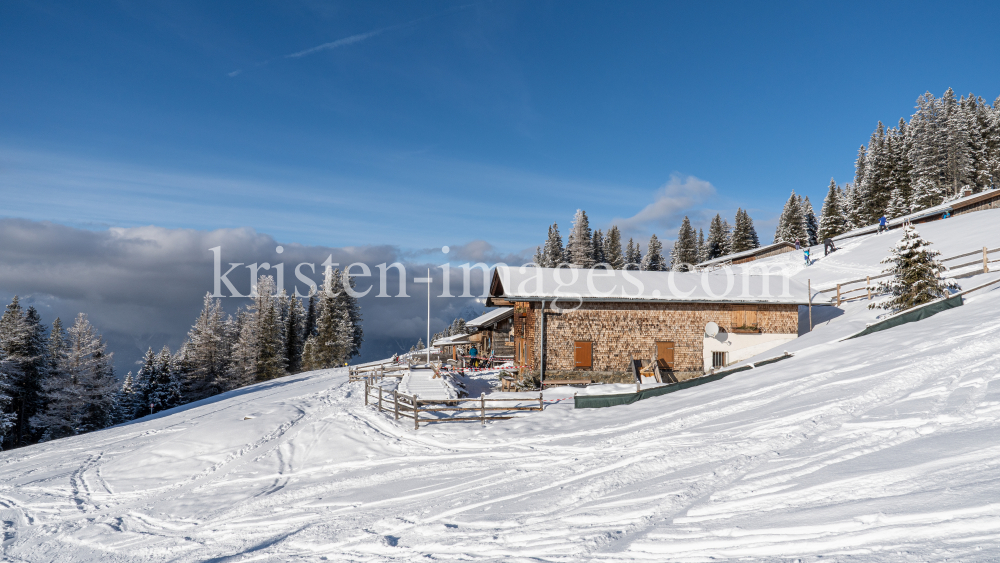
(882, 448)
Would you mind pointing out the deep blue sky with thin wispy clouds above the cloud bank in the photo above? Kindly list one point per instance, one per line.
(431, 123)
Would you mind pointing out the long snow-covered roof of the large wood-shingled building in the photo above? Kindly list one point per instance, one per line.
(568, 285)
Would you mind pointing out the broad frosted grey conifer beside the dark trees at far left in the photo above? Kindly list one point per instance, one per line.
(81, 390)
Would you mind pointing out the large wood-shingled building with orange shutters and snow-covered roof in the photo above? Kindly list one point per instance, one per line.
(590, 323)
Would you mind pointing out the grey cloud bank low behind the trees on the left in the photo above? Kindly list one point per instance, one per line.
(143, 286)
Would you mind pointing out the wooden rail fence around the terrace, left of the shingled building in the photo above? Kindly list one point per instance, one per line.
(402, 405)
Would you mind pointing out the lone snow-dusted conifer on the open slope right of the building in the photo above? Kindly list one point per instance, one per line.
(915, 274)
